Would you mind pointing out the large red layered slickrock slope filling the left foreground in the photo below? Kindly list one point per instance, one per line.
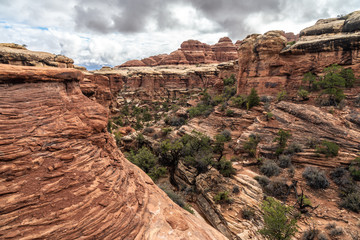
(61, 174)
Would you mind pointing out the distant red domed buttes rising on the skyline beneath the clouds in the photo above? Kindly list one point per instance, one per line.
(191, 52)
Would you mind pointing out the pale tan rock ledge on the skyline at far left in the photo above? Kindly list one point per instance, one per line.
(15, 54)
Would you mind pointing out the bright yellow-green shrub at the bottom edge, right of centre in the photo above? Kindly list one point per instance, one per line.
(278, 224)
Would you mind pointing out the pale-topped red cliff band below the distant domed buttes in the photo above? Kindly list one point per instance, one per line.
(148, 83)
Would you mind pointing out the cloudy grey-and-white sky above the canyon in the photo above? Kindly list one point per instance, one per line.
(96, 33)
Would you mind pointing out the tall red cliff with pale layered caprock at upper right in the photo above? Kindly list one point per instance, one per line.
(267, 63)
